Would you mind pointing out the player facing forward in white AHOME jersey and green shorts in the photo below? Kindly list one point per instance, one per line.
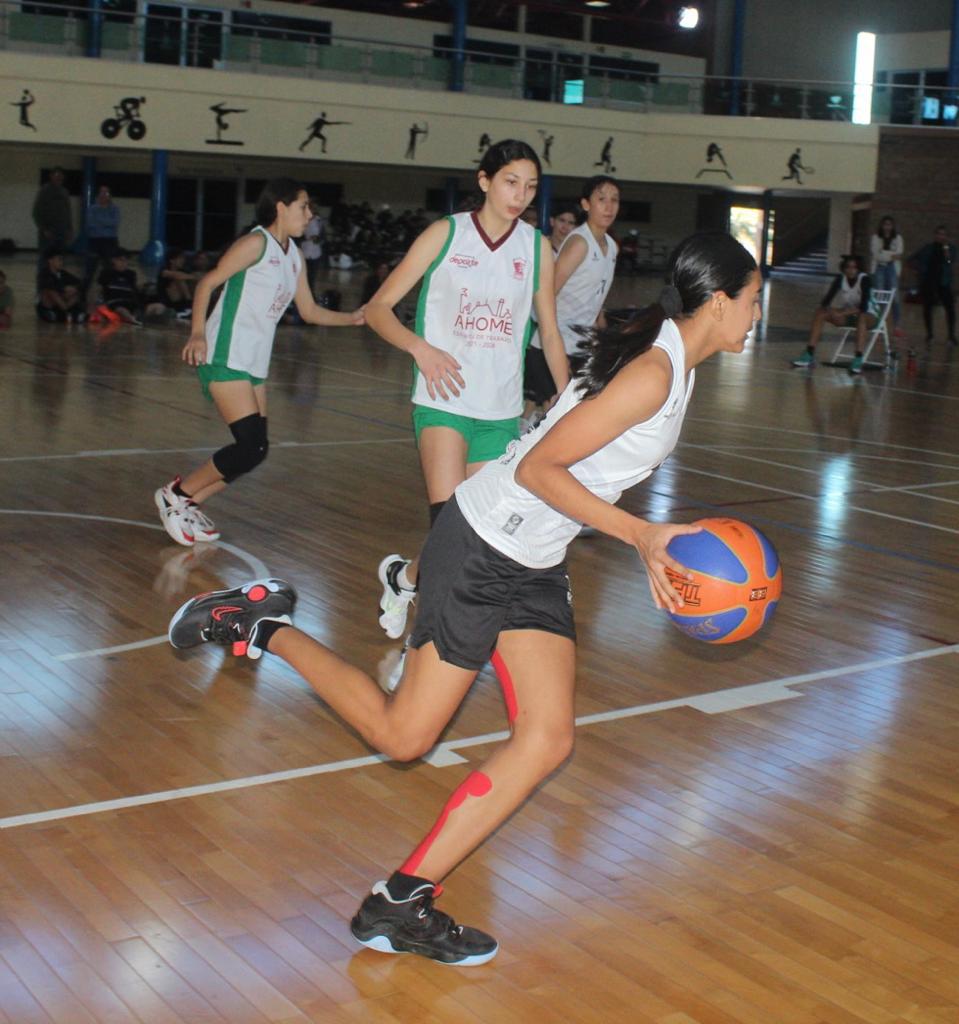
(483, 273)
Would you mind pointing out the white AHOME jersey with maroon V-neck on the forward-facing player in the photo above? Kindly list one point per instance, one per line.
(475, 304)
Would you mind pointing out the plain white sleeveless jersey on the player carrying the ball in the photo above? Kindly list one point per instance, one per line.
(522, 527)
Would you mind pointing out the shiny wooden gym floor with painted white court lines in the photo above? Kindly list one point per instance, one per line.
(761, 834)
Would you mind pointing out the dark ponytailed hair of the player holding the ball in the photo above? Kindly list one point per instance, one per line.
(700, 267)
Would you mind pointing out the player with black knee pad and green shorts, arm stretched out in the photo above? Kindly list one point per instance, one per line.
(261, 273)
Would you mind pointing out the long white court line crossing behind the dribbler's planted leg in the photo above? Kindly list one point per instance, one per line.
(717, 703)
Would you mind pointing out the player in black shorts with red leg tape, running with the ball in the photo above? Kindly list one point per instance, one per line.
(494, 578)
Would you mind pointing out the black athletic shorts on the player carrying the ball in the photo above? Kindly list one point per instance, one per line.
(470, 593)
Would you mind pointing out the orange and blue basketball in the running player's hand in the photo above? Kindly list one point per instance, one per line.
(736, 585)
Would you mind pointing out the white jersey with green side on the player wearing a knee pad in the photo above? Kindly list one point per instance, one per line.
(244, 321)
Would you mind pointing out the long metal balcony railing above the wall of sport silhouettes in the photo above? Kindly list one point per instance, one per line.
(207, 38)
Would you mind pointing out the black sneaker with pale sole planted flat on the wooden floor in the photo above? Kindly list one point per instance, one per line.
(399, 917)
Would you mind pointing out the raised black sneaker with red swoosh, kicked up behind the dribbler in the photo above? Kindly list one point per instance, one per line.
(231, 618)
